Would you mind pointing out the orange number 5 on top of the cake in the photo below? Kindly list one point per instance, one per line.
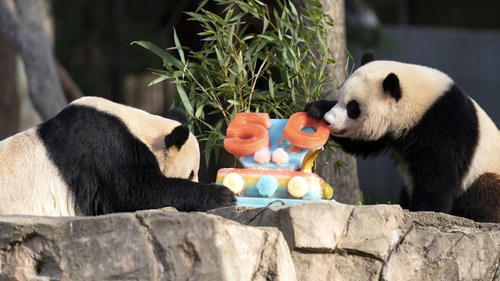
(247, 133)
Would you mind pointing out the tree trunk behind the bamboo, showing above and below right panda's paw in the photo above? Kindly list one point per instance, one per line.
(346, 184)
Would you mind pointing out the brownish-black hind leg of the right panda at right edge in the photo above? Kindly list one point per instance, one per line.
(481, 201)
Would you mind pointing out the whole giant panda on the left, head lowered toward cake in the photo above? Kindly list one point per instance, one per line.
(97, 157)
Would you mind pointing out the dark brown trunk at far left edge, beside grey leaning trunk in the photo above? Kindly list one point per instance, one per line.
(9, 99)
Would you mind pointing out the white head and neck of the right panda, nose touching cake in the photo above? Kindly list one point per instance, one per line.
(384, 98)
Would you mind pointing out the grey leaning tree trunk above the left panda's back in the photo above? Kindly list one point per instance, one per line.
(23, 30)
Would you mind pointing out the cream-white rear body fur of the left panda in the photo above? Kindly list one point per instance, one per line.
(30, 184)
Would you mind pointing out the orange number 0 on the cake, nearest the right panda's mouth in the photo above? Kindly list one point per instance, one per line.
(298, 121)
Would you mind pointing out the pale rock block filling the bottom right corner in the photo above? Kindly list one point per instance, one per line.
(444, 247)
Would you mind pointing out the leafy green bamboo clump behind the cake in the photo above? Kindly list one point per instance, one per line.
(289, 58)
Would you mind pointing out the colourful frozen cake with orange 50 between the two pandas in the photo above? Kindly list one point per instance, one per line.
(277, 156)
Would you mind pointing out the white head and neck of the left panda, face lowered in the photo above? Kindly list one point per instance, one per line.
(175, 148)
